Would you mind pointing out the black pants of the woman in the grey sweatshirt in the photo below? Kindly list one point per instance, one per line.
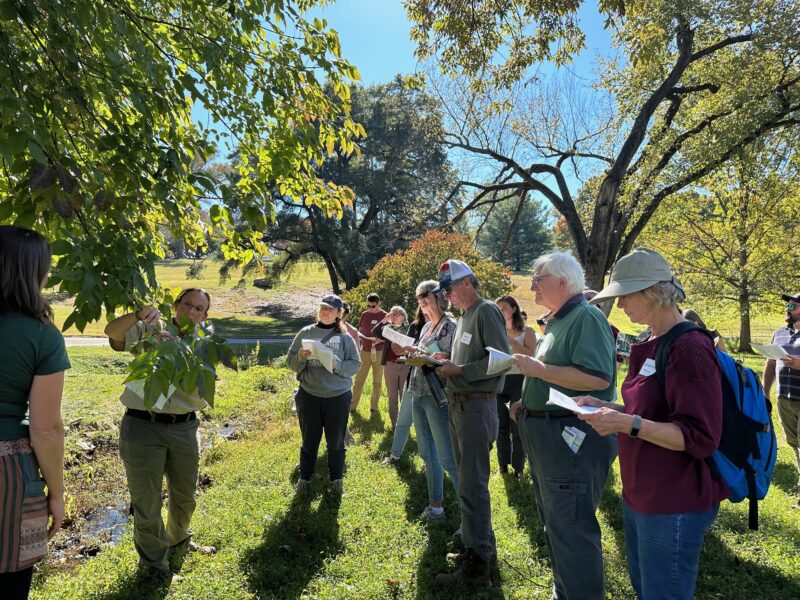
(317, 416)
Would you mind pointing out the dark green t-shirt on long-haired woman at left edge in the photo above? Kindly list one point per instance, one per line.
(27, 348)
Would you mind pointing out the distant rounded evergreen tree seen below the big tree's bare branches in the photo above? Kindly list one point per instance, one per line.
(515, 234)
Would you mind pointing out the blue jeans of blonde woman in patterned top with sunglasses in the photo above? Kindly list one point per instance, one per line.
(432, 425)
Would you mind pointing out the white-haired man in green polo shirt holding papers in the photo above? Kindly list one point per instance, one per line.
(569, 461)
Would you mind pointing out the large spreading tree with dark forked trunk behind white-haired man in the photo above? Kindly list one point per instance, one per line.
(690, 84)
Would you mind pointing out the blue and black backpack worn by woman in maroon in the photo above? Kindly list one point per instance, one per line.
(745, 458)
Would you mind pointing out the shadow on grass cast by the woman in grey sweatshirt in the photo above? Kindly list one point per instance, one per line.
(295, 547)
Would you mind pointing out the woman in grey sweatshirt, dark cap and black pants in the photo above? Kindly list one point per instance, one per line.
(323, 398)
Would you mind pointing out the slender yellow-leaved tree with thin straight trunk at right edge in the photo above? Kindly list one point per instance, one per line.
(736, 242)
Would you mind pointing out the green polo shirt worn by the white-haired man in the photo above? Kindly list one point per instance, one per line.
(577, 336)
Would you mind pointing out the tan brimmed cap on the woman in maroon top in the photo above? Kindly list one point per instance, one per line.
(637, 271)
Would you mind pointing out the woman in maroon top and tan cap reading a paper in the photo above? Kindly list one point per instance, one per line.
(670, 497)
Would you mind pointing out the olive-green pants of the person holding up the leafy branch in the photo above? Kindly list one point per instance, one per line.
(150, 451)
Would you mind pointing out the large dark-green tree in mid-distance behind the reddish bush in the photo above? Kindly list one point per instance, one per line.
(399, 179)
